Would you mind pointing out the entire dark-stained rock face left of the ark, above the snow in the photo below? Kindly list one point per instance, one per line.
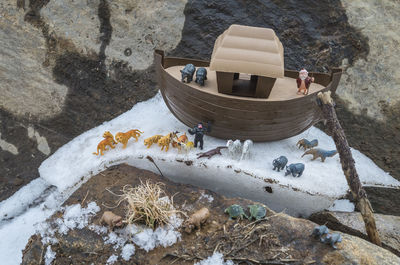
(65, 68)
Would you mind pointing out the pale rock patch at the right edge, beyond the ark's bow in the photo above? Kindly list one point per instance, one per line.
(371, 86)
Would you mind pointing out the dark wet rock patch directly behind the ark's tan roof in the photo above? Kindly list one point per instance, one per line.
(315, 34)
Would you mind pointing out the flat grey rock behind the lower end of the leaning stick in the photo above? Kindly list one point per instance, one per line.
(352, 223)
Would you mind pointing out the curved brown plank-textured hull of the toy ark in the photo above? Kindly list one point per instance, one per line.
(238, 117)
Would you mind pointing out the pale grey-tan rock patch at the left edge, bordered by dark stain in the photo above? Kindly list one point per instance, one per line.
(27, 87)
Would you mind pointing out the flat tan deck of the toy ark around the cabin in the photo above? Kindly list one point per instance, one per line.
(284, 88)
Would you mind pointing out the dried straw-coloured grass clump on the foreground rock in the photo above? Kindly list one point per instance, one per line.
(147, 203)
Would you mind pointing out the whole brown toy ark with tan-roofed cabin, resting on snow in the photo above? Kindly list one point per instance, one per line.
(247, 94)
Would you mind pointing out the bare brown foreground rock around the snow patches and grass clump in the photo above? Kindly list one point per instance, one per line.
(279, 238)
